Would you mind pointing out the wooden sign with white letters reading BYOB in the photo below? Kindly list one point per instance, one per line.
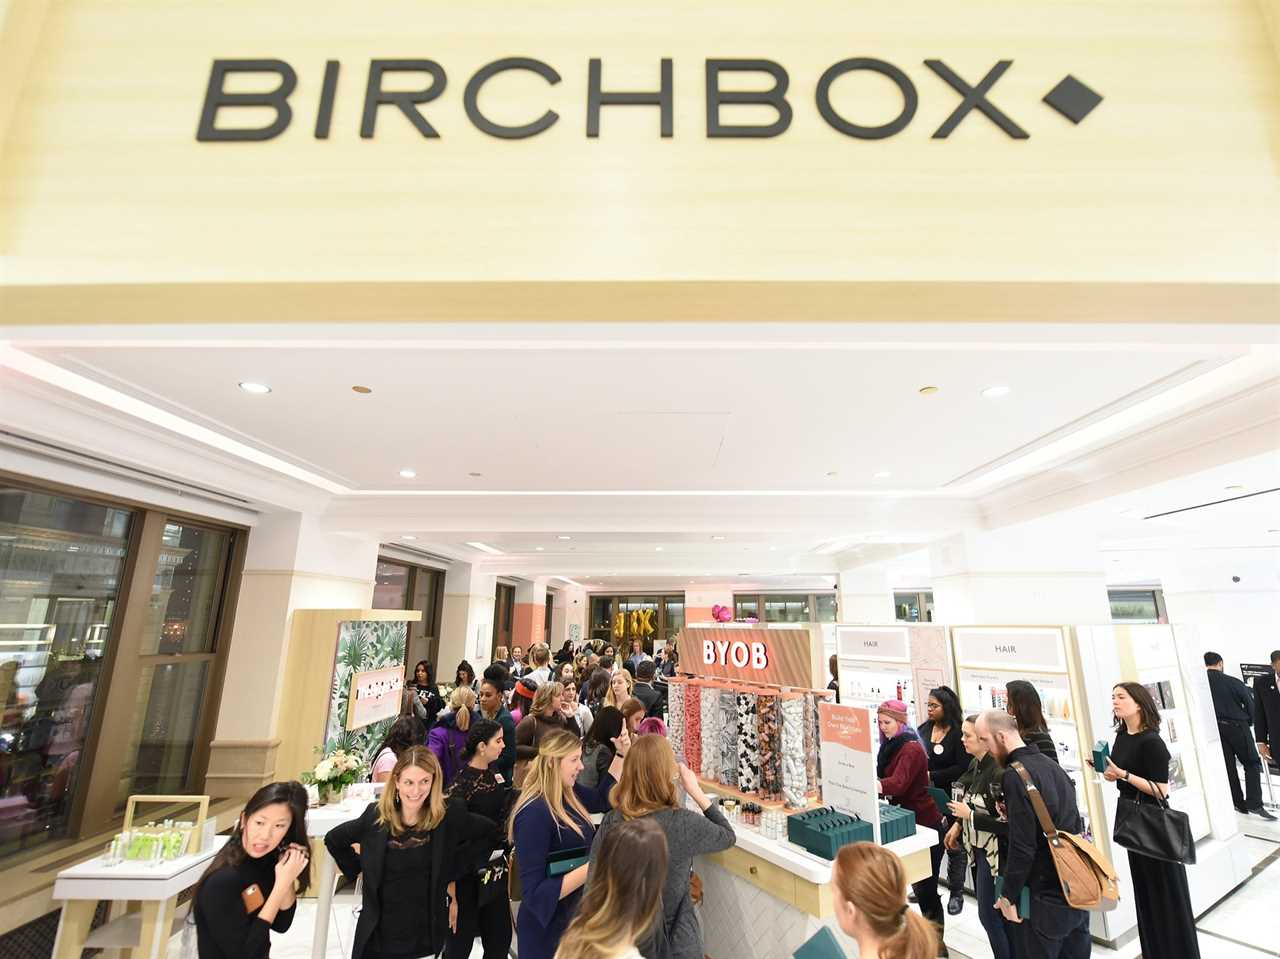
(785, 657)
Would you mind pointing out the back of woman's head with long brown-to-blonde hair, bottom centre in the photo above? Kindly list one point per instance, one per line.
(623, 905)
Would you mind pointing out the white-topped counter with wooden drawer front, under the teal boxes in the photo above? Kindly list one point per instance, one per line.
(764, 898)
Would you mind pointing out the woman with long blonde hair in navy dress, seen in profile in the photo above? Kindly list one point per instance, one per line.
(551, 826)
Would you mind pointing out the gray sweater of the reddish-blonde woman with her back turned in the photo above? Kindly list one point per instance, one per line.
(689, 834)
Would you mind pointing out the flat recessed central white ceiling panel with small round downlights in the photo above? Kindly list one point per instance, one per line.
(634, 419)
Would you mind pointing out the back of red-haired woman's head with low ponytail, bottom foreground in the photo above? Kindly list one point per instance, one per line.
(870, 887)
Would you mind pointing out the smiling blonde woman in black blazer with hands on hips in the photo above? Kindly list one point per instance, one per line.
(408, 848)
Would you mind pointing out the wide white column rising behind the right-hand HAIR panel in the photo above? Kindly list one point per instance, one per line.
(1025, 576)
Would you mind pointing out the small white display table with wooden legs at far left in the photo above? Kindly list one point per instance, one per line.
(156, 888)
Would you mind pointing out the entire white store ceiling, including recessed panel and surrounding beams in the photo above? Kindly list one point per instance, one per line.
(647, 445)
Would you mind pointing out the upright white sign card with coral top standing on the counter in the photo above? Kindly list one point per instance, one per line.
(849, 748)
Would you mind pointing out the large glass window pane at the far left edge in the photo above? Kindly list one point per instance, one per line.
(62, 563)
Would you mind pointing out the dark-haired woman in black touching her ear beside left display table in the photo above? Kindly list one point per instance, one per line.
(250, 888)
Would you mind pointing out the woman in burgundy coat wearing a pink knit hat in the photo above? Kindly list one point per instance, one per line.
(903, 768)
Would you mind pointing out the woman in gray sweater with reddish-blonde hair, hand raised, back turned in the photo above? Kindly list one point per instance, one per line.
(647, 793)
